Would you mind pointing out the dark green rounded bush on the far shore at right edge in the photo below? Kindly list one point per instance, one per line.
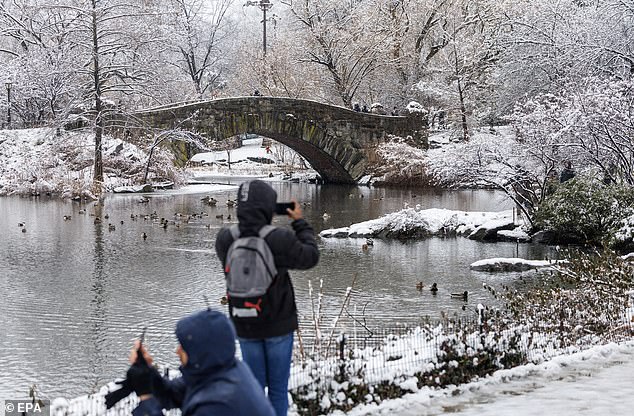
(583, 210)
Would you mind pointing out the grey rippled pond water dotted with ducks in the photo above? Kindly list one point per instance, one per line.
(76, 294)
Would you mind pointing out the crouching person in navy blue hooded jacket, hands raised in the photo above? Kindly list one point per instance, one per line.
(213, 381)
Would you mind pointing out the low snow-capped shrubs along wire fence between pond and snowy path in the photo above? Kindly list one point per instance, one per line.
(432, 355)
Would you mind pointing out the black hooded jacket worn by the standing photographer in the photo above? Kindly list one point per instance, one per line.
(294, 249)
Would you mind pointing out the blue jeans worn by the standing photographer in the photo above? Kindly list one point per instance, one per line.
(270, 362)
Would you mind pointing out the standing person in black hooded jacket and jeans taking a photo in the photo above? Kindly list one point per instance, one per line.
(267, 344)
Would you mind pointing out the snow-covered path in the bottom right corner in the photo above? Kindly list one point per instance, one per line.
(595, 382)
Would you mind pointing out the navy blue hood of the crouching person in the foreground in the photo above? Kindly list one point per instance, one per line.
(209, 339)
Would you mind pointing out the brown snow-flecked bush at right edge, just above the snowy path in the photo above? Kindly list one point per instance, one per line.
(583, 303)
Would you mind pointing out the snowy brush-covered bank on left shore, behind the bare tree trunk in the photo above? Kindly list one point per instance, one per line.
(50, 161)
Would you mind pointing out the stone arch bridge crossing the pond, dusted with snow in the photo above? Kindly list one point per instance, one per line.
(339, 143)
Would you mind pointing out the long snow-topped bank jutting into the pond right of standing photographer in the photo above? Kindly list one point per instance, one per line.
(415, 223)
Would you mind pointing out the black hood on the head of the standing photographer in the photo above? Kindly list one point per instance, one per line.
(256, 204)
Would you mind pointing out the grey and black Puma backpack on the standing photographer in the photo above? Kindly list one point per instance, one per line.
(249, 272)
